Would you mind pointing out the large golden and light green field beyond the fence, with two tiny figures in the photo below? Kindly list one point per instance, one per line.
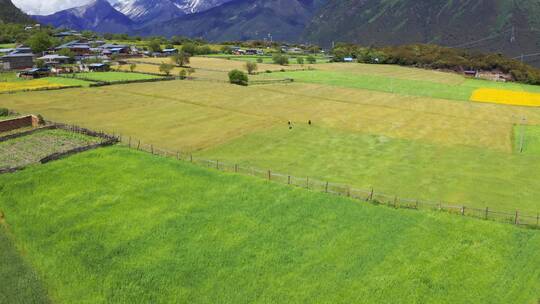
(409, 146)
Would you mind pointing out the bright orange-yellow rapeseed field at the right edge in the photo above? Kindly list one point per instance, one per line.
(515, 98)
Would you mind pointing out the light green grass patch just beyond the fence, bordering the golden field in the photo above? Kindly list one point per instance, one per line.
(456, 175)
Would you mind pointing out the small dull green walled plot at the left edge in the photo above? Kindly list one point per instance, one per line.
(31, 148)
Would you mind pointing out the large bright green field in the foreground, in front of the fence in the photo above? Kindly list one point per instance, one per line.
(197, 235)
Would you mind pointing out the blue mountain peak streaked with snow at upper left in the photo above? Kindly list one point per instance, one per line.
(98, 16)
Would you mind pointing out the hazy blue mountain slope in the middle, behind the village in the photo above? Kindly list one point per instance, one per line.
(242, 20)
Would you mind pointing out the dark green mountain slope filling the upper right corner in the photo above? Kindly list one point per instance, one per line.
(454, 23)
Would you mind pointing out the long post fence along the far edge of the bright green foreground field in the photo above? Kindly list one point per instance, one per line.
(515, 217)
